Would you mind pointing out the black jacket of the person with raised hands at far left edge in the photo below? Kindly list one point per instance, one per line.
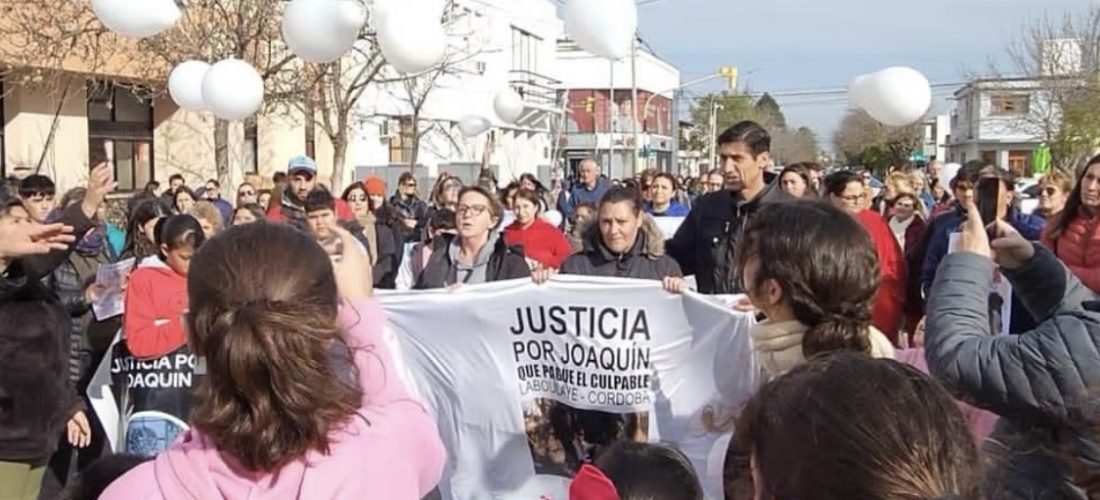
(37, 396)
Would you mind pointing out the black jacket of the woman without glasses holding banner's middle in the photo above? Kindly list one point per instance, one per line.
(645, 261)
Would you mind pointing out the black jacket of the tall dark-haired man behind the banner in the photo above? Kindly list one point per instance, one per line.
(706, 243)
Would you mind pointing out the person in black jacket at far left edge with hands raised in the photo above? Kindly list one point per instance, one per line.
(38, 401)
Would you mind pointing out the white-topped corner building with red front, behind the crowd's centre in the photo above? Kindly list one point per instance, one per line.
(612, 134)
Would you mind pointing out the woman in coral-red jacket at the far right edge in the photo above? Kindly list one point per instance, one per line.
(1075, 235)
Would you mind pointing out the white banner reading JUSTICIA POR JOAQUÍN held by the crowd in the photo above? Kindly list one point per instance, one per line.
(527, 382)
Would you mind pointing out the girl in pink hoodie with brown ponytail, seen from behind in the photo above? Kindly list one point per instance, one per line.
(302, 399)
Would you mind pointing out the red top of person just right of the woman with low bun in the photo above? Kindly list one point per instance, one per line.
(890, 304)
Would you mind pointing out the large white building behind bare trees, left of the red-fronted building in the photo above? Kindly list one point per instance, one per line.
(494, 45)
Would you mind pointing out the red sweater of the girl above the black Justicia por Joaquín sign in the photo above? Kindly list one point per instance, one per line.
(157, 298)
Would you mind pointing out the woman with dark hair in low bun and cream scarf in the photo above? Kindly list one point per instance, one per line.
(815, 274)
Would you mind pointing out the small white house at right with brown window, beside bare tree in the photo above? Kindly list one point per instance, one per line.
(998, 121)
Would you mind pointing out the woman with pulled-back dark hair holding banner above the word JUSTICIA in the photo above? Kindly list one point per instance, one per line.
(624, 242)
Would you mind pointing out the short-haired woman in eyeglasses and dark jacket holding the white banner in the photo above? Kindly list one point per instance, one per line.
(478, 254)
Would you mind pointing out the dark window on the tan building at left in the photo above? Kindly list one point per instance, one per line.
(120, 132)
